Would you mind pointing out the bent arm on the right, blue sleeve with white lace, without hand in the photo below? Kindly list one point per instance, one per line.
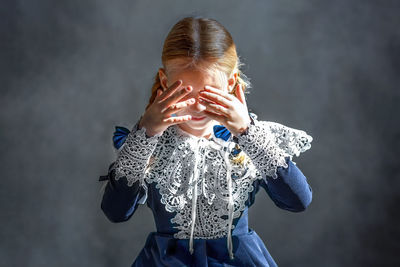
(271, 146)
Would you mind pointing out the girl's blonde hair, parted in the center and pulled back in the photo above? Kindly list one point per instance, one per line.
(200, 42)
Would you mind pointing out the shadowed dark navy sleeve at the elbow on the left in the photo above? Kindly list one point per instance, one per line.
(120, 201)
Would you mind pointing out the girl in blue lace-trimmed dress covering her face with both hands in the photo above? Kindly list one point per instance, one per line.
(197, 157)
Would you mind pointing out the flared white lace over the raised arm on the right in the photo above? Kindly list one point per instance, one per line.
(268, 143)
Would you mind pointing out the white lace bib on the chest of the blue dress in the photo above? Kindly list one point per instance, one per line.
(172, 169)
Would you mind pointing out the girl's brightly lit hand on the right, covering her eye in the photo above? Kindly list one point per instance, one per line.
(225, 108)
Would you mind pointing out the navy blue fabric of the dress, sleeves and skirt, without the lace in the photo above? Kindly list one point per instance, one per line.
(290, 191)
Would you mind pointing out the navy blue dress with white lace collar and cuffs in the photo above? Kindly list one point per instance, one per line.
(192, 219)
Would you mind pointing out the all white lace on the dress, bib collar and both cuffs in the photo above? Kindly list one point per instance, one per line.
(171, 160)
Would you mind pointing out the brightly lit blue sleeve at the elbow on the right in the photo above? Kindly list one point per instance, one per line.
(290, 190)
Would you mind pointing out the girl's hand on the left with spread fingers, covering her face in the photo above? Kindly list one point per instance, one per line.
(157, 118)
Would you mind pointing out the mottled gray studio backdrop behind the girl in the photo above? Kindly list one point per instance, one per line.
(72, 70)
